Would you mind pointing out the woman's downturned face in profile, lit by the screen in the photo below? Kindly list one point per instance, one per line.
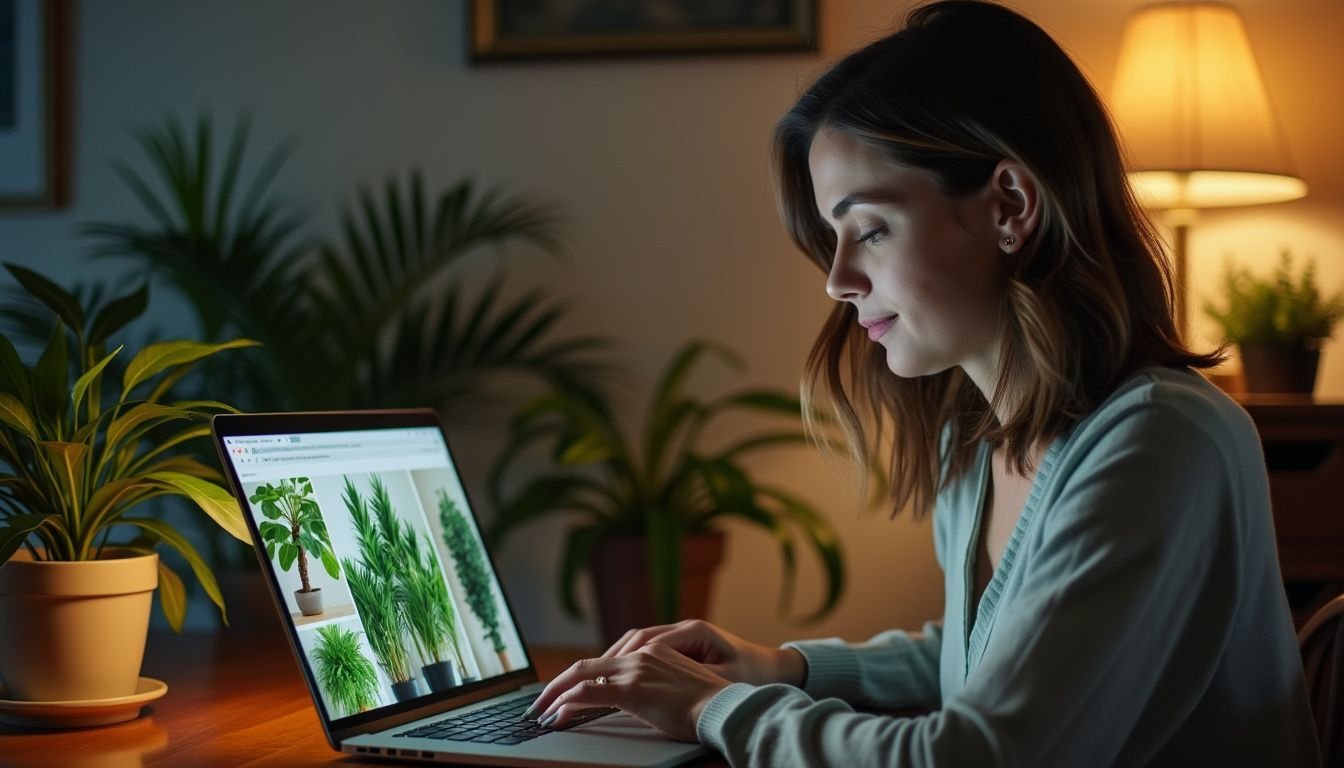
(924, 271)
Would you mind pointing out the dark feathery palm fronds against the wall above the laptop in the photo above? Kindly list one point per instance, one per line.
(390, 322)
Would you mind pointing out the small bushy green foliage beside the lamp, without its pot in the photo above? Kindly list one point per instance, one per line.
(1284, 309)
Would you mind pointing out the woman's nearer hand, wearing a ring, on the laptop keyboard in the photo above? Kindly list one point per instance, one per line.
(655, 685)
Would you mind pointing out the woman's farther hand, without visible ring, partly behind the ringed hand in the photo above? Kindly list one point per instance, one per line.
(724, 653)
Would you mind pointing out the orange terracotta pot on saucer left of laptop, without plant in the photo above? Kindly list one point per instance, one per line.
(75, 631)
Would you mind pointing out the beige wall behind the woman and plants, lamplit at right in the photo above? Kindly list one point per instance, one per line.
(661, 166)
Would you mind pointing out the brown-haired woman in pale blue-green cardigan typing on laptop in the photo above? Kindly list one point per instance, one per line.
(1101, 512)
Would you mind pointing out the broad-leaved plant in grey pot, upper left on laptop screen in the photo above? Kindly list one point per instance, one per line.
(294, 529)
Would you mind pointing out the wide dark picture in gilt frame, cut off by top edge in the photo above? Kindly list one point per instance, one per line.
(503, 30)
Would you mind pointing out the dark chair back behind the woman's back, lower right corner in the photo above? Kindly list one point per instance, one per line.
(1322, 641)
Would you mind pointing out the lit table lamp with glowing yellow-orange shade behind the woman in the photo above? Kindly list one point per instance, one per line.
(1195, 120)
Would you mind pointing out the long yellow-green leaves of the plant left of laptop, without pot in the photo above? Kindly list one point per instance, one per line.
(77, 461)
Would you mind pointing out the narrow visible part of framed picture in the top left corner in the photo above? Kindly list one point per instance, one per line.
(34, 103)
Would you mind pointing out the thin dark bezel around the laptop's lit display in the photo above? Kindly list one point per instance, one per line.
(386, 716)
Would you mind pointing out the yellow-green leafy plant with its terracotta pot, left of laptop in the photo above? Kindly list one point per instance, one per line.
(79, 458)
